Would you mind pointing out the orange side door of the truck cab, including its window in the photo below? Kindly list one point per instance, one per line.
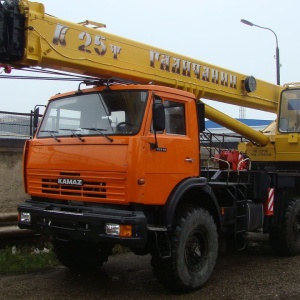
(176, 156)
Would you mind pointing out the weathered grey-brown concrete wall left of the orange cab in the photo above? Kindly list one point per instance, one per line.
(11, 181)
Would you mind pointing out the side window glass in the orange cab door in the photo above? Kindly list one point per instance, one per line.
(175, 117)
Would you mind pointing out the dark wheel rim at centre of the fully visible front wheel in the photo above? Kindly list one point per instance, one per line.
(196, 250)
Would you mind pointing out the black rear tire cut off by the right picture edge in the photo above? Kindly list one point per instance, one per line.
(285, 240)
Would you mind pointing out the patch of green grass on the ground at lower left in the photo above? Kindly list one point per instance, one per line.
(25, 259)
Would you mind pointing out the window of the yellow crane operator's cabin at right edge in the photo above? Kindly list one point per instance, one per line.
(289, 120)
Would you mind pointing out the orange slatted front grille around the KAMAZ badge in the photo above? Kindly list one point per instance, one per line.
(105, 186)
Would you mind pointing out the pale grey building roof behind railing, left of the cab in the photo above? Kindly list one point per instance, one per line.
(14, 125)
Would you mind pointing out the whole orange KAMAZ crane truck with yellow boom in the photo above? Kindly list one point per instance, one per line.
(118, 162)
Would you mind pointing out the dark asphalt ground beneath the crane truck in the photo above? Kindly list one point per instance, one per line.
(255, 273)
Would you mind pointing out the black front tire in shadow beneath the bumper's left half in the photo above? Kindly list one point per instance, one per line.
(81, 256)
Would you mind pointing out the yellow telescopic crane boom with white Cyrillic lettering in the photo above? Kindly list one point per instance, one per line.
(38, 39)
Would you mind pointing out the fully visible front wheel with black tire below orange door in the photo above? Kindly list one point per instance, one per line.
(194, 250)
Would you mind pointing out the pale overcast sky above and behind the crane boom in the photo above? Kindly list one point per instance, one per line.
(209, 31)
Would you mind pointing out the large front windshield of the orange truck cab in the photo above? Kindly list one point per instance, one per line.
(103, 113)
